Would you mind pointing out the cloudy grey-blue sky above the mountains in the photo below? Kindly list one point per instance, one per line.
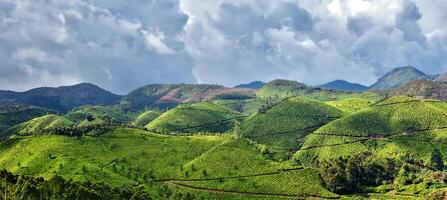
(121, 45)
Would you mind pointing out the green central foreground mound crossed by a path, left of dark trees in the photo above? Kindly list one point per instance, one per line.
(242, 159)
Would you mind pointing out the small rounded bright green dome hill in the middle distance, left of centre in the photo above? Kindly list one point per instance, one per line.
(198, 117)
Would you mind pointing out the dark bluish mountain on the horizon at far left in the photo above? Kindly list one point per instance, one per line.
(62, 99)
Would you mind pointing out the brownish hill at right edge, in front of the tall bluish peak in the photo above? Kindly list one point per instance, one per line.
(423, 89)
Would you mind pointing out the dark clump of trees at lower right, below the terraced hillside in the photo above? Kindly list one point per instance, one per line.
(347, 175)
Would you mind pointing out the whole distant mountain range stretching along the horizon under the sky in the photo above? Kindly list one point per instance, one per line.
(62, 99)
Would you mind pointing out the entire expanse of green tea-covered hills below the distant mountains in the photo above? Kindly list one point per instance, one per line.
(324, 144)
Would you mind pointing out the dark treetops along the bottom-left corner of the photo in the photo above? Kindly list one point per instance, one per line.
(25, 187)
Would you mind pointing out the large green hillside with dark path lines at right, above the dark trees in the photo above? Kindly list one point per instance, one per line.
(396, 127)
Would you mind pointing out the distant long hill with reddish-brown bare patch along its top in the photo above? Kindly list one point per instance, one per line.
(168, 96)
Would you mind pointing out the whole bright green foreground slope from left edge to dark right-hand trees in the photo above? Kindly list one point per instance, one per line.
(127, 156)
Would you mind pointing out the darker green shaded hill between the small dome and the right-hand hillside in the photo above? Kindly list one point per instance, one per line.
(282, 126)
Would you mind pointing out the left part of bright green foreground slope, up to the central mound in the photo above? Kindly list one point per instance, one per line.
(122, 157)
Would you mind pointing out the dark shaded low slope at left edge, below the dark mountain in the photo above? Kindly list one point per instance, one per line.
(14, 114)
